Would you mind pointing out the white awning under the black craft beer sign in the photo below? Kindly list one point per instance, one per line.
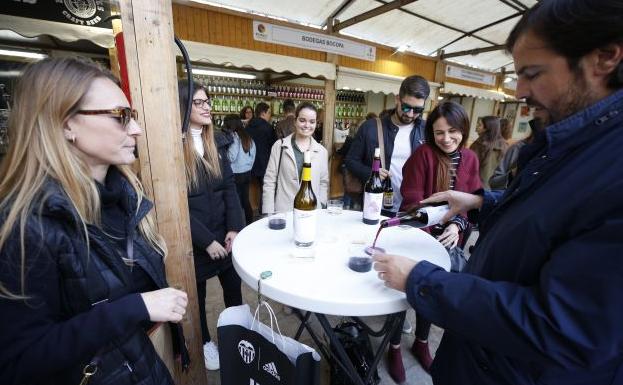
(63, 31)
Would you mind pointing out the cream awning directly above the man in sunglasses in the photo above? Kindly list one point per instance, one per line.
(359, 80)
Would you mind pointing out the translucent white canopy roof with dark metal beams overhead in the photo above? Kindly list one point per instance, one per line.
(424, 26)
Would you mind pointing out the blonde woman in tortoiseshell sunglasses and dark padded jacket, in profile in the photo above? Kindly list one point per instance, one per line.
(81, 264)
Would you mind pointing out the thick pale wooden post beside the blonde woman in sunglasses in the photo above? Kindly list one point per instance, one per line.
(150, 53)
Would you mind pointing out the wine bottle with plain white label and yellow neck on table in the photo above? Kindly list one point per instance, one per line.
(305, 208)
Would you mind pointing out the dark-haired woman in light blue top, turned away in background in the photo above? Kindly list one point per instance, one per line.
(241, 153)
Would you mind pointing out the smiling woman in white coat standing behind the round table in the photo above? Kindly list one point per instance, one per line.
(283, 174)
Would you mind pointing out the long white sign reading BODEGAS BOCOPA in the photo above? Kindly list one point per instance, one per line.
(277, 34)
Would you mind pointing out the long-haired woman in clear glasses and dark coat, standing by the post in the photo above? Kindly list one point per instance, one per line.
(216, 215)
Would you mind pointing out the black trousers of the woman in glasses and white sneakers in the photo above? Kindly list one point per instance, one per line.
(232, 296)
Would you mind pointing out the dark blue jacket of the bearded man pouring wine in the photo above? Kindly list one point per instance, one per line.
(541, 299)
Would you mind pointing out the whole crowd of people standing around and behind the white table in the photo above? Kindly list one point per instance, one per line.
(536, 303)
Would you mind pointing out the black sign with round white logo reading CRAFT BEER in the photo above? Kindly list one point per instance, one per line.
(88, 13)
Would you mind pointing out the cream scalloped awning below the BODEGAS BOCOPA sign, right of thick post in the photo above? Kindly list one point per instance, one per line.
(243, 58)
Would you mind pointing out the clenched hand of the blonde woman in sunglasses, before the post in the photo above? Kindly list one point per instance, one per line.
(165, 305)
